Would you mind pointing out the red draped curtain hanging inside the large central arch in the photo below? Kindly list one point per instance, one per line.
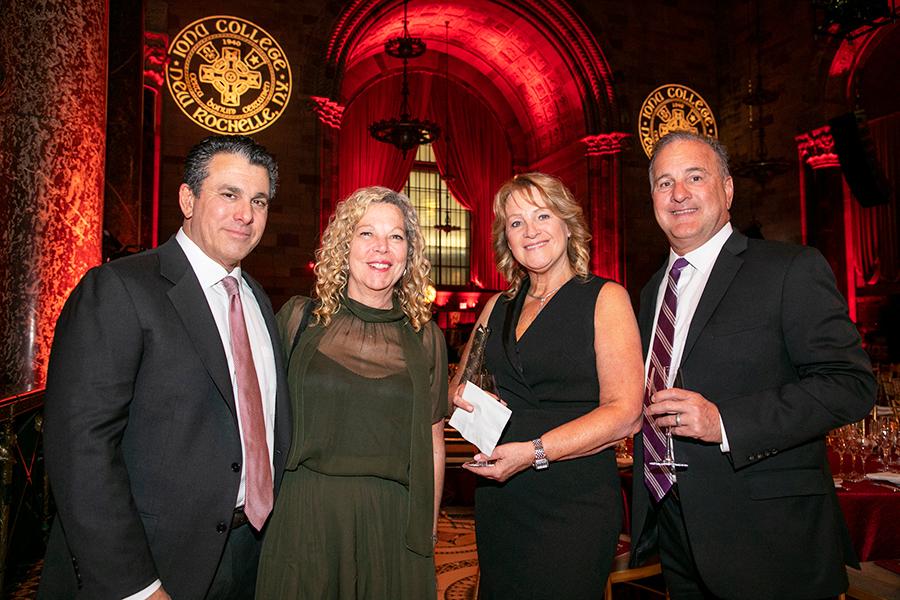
(479, 155)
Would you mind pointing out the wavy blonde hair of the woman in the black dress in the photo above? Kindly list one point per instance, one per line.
(557, 197)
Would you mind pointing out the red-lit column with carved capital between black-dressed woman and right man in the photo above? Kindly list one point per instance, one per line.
(604, 214)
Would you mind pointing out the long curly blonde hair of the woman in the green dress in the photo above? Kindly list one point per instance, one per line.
(332, 257)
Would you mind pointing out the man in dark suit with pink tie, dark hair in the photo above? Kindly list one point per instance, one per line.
(160, 430)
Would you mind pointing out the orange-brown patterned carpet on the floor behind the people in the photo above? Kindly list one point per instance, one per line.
(456, 561)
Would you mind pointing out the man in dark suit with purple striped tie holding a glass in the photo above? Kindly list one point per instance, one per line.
(761, 361)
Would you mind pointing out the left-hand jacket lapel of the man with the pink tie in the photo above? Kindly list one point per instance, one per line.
(190, 302)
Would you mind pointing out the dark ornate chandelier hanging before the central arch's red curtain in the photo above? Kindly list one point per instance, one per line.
(406, 132)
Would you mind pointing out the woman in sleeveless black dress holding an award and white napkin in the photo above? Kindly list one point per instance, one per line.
(565, 353)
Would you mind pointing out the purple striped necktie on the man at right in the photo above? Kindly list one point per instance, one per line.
(659, 480)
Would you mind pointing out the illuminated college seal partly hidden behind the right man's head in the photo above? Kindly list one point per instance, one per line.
(674, 107)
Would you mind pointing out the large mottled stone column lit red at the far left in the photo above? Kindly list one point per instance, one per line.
(52, 139)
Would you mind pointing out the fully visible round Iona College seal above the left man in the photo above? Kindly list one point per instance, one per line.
(228, 75)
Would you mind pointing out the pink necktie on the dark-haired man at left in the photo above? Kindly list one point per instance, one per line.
(258, 497)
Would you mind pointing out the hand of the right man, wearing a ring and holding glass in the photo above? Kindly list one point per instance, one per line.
(687, 414)
